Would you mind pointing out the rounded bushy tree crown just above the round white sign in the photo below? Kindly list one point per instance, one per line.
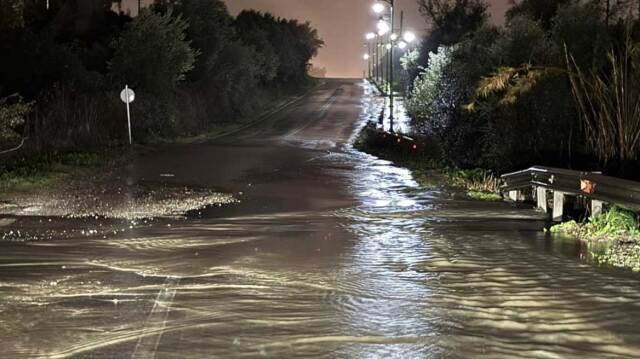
(153, 53)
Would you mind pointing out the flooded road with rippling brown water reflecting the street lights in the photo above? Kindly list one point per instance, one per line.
(328, 253)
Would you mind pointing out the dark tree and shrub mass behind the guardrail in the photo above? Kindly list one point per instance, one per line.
(507, 97)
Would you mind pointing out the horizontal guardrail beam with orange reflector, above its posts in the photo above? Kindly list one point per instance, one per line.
(588, 184)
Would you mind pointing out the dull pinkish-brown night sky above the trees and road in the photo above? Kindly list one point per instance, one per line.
(342, 25)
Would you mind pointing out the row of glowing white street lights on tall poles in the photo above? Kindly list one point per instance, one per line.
(392, 40)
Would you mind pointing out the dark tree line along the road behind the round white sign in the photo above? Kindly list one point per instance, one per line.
(191, 63)
